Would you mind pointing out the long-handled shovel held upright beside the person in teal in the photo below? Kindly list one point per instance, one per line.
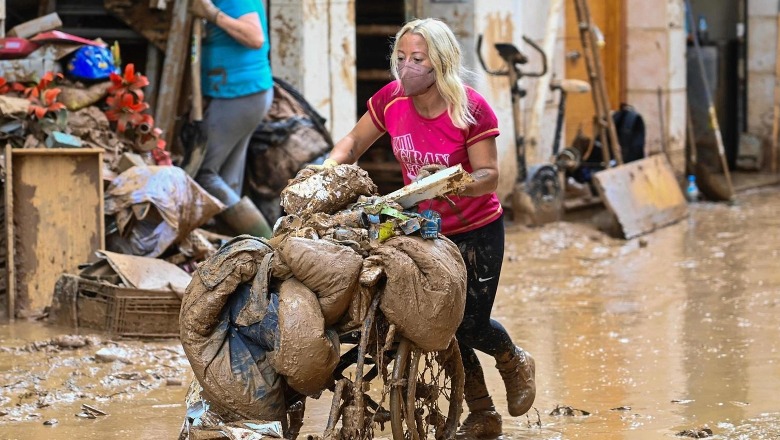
(193, 134)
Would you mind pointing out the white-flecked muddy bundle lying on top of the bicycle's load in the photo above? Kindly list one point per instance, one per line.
(328, 191)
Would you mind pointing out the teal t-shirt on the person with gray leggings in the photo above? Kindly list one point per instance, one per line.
(229, 69)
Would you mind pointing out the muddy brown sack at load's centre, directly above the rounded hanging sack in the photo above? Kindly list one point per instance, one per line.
(329, 270)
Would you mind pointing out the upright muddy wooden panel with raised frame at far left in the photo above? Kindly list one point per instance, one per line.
(54, 220)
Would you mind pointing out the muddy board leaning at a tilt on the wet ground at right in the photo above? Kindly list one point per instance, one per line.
(643, 195)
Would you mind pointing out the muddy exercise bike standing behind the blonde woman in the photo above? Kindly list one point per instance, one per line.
(538, 190)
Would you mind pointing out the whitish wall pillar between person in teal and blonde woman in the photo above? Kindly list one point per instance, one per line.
(313, 48)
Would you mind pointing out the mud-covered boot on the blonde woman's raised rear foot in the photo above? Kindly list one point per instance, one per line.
(518, 370)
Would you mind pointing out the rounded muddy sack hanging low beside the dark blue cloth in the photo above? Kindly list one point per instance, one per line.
(306, 353)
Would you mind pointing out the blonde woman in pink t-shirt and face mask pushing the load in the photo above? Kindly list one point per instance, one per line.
(435, 120)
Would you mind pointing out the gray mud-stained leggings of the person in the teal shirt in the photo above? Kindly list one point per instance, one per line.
(229, 124)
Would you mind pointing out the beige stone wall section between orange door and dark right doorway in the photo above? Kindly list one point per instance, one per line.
(656, 48)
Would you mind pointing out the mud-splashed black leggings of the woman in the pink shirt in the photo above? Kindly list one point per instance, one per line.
(483, 252)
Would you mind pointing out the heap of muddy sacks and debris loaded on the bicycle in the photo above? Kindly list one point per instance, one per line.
(261, 319)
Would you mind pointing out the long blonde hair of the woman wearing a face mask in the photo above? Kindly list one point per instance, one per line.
(445, 55)
